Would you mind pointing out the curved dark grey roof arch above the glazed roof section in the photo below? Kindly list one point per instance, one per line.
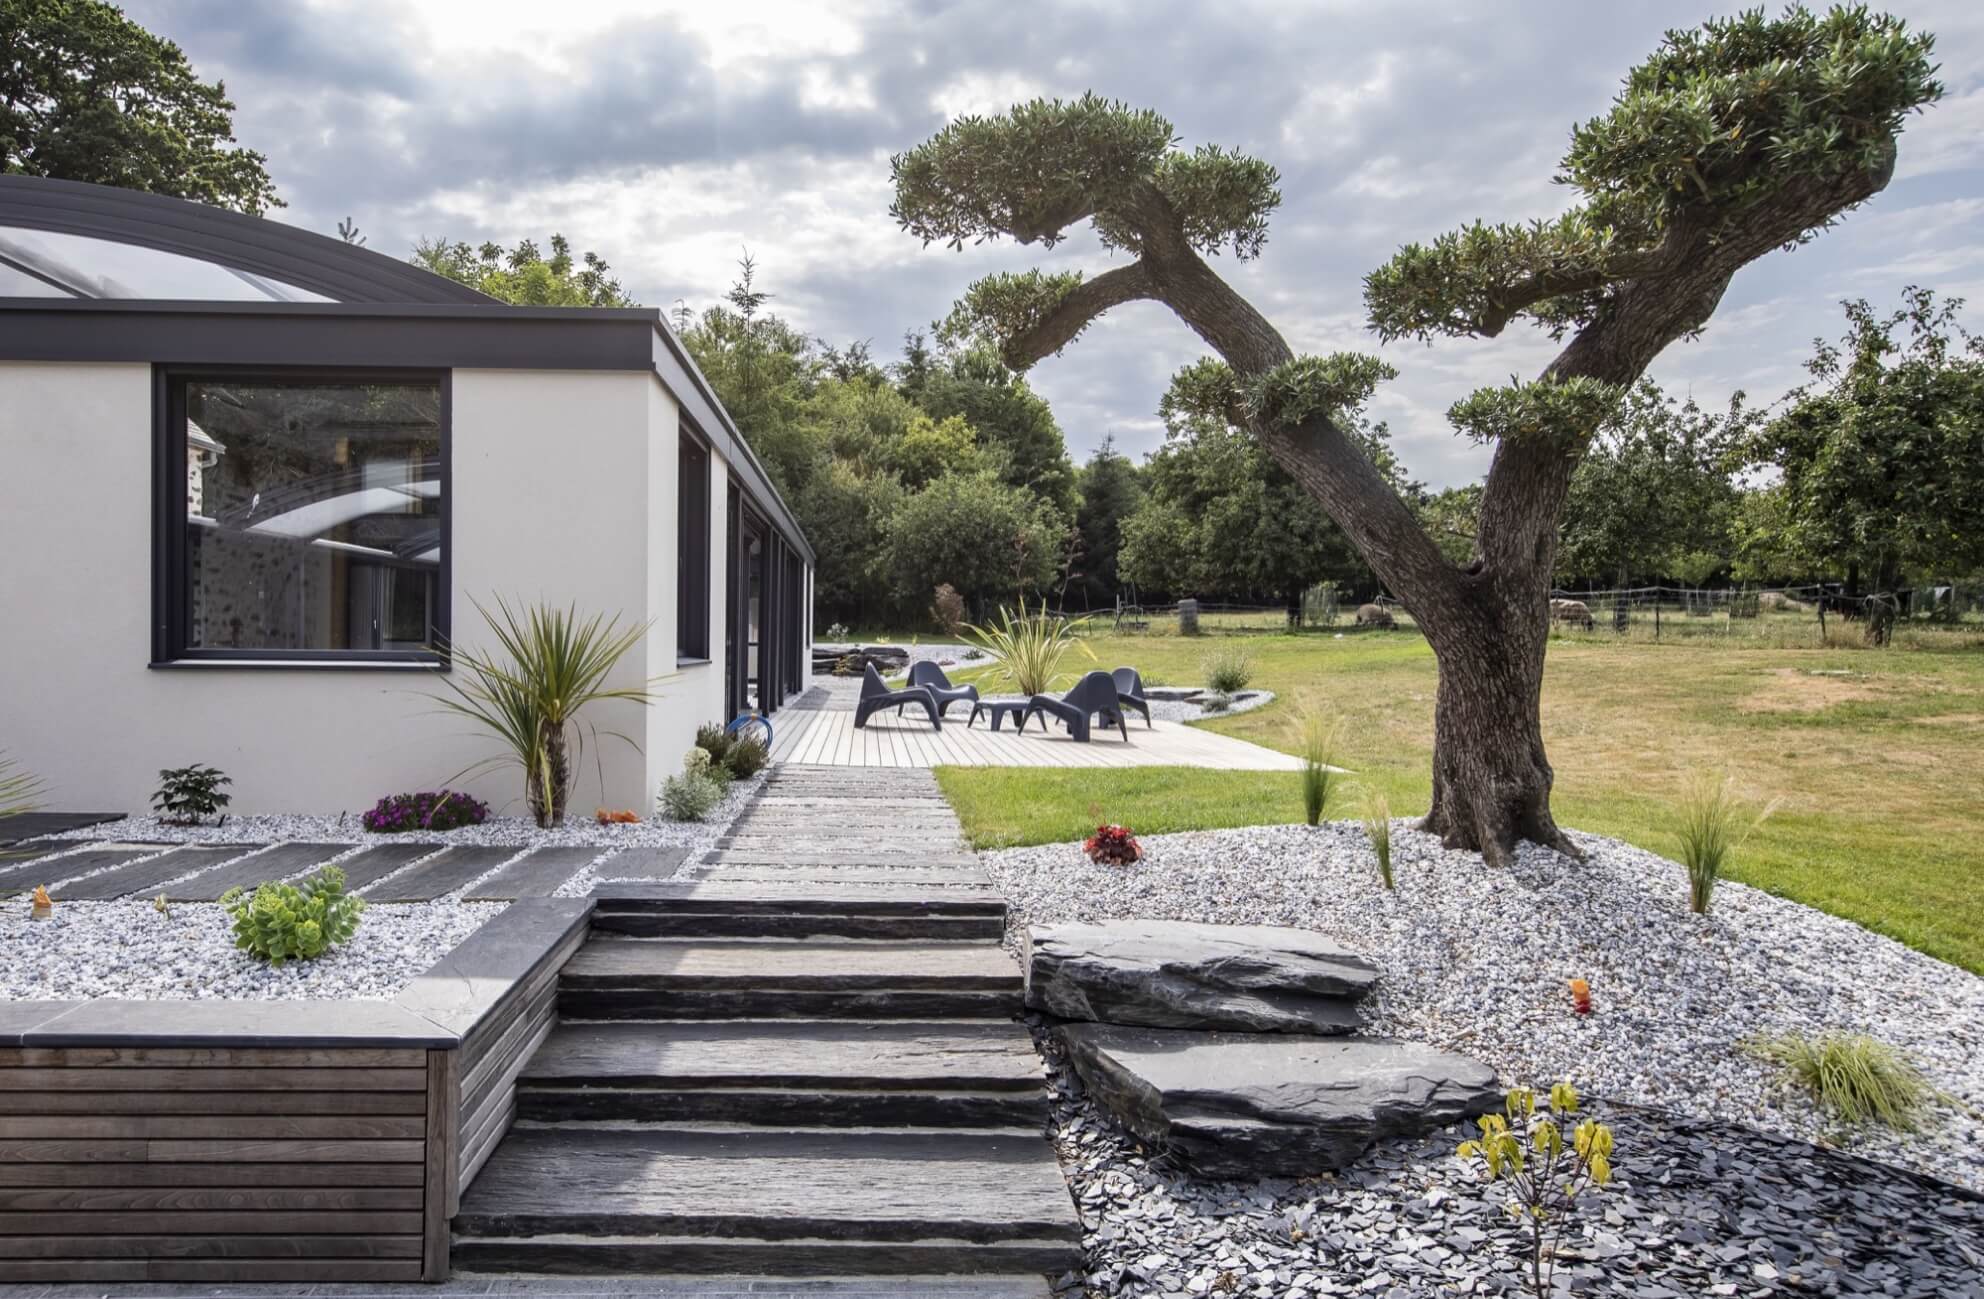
(255, 245)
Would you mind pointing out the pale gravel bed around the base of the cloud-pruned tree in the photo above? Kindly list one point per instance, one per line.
(1479, 961)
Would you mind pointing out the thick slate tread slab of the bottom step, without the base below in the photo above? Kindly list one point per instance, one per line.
(799, 1185)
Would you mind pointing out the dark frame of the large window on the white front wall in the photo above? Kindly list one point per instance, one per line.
(170, 580)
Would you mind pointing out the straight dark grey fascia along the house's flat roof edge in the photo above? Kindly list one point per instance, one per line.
(328, 334)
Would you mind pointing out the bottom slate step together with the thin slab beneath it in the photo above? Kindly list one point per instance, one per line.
(769, 1203)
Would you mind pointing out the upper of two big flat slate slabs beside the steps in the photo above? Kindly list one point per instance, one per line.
(1197, 977)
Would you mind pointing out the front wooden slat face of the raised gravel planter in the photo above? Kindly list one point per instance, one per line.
(225, 1165)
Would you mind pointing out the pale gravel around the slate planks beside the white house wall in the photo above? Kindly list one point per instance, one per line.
(132, 951)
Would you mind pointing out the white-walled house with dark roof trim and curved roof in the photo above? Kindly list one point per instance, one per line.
(257, 477)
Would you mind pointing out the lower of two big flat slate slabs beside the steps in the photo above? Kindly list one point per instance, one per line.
(1251, 1106)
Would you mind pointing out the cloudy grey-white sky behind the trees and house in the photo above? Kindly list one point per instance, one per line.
(676, 138)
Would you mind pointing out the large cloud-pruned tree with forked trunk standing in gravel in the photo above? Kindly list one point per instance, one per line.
(1733, 140)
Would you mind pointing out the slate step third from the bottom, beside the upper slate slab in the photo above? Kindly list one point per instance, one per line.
(660, 979)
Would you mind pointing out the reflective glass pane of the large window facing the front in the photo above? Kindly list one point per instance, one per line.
(312, 515)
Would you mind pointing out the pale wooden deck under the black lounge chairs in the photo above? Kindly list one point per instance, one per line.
(828, 737)
